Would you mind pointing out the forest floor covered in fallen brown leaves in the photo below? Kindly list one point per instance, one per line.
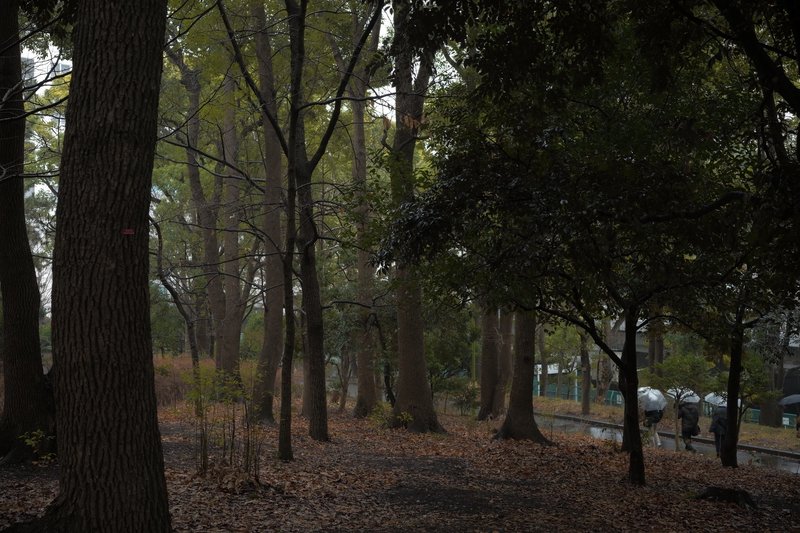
(368, 478)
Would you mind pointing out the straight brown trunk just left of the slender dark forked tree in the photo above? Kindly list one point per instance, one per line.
(271, 348)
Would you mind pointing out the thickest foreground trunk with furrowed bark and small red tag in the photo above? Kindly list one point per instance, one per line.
(112, 470)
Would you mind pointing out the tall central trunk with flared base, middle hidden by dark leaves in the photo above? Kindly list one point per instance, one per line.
(413, 389)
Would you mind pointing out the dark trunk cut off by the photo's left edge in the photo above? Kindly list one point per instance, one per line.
(27, 403)
